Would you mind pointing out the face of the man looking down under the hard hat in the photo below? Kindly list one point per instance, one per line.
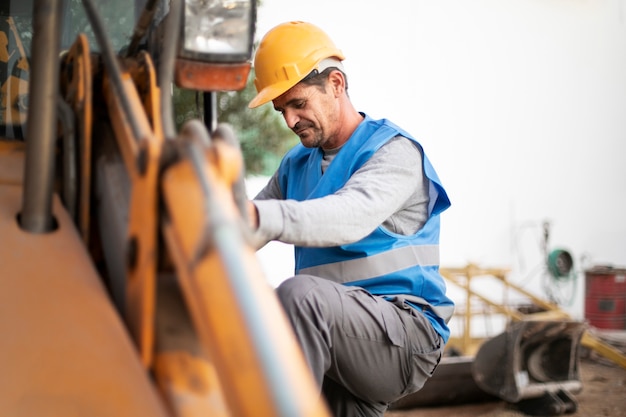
(312, 114)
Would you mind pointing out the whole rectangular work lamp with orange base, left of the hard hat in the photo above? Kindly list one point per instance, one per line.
(216, 44)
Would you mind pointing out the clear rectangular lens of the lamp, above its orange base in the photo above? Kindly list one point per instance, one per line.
(221, 29)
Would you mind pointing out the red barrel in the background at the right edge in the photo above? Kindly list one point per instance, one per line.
(605, 297)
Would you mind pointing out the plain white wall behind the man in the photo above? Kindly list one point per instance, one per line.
(520, 105)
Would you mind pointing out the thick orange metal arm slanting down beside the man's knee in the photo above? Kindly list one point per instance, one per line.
(214, 305)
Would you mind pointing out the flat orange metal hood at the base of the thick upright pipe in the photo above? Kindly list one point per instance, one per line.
(64, 350)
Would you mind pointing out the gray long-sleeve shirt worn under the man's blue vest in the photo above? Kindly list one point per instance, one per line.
(389, 189)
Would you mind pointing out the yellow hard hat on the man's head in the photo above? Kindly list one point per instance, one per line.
(287, 54)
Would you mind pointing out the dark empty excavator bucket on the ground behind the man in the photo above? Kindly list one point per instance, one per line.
(533, 364)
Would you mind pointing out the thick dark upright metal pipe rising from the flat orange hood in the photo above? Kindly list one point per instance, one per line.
(36, 214)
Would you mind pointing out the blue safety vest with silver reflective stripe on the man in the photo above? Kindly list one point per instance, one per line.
(384, 263)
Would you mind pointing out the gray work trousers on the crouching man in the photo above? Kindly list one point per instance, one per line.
(364, 352)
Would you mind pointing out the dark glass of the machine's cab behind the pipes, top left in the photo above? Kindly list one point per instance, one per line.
(16, 36)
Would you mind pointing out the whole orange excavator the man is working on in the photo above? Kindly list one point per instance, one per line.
(127, 283)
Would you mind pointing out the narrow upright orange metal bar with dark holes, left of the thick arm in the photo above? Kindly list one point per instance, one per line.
(141, 157)
